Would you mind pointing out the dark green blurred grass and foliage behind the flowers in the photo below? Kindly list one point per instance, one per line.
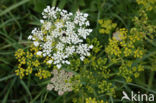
(17, 19)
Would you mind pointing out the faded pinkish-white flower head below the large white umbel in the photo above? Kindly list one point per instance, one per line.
(60, 82)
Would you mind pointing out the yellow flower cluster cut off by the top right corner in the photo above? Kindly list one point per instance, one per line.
(147, 4)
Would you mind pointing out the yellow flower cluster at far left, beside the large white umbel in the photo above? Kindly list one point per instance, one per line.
(28, 61)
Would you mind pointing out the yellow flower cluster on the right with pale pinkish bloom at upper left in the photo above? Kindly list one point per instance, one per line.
(124, 45)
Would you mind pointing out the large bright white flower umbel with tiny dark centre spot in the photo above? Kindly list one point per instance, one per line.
(62, 34)
